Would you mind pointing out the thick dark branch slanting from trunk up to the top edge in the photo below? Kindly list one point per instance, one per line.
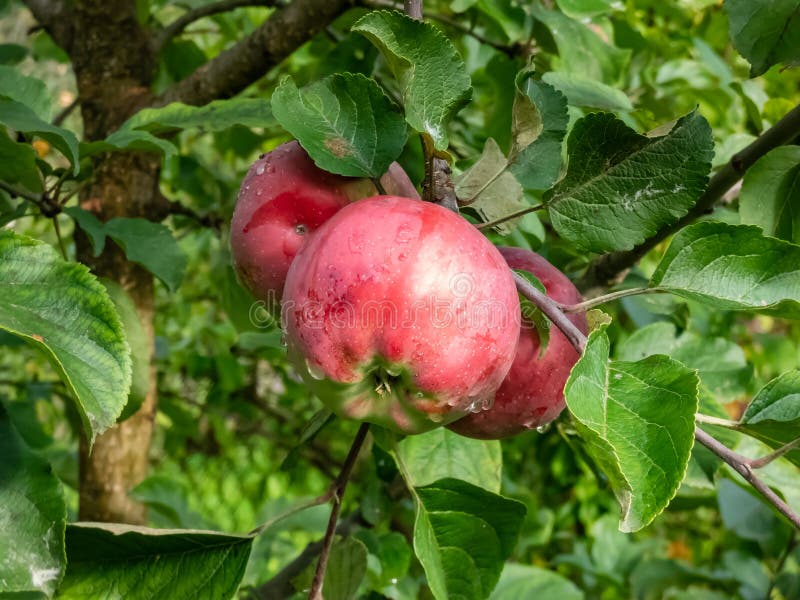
(236, 68)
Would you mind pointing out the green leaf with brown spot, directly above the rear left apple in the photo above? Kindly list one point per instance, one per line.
(345, 122)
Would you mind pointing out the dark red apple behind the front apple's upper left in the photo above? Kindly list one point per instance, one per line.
(283, 198)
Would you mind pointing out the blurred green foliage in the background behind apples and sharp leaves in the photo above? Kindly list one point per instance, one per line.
(224, 454)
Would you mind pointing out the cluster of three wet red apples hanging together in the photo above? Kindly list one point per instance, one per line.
(396, 311)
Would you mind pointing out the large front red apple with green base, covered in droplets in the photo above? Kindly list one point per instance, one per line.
(399, 312)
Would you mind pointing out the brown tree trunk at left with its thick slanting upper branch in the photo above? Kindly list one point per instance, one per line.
(114, 59)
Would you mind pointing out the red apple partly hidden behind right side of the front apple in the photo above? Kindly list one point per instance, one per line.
(532, 394)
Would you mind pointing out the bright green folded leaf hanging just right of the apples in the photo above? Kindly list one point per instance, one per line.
(637, 419)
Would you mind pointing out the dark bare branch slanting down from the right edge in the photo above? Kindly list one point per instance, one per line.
(605, 269)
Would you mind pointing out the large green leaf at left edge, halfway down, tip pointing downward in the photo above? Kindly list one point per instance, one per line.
(60, 308)
